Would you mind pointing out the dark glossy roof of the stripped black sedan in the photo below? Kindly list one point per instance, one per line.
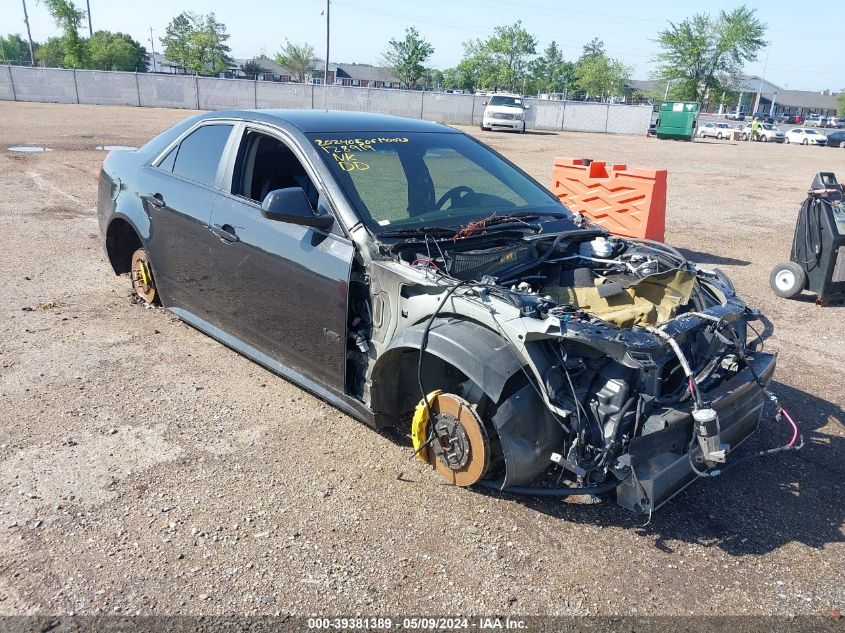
(330, 121)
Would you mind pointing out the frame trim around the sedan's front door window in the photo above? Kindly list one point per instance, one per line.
(228, 174)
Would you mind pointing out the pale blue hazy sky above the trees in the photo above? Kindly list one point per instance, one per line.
(805, 51)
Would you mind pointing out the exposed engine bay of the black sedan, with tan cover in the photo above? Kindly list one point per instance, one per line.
(609, 379)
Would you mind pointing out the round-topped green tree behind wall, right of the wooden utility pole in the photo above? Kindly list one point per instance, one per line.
(197, 42)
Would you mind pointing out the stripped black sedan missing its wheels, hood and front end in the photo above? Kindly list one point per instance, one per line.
(411, 276)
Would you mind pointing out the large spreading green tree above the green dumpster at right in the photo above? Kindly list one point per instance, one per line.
(704, 54)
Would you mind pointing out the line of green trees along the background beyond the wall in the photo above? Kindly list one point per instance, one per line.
(699, 57)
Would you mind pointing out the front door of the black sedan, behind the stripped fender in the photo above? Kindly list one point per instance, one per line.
(280, 287)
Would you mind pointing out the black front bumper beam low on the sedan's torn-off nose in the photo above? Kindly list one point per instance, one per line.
(659, 462)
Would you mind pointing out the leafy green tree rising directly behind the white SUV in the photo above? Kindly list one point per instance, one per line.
(501, 61)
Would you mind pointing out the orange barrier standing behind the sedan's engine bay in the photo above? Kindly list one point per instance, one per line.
(627, 202)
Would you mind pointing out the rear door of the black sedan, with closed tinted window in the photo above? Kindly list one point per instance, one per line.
(181, 189)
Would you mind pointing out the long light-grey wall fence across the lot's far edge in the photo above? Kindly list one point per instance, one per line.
(56, 85)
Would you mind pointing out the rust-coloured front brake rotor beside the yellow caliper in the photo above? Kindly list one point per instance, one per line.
(461, 451)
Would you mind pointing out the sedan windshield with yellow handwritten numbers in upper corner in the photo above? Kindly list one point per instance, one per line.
(413, 180)
